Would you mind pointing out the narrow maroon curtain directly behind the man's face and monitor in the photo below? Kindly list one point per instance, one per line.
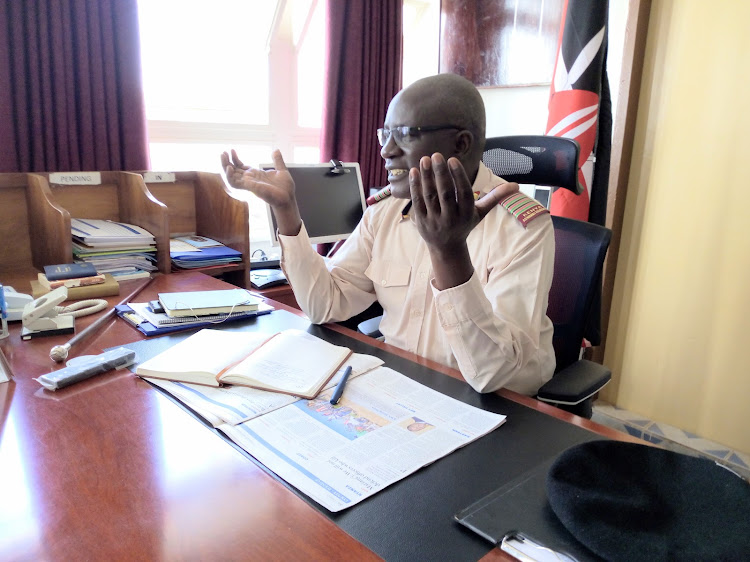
(363, 70)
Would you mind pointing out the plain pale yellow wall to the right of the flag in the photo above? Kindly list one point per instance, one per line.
(680, 321)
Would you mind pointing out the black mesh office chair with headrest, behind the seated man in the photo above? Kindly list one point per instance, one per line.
(579, 258)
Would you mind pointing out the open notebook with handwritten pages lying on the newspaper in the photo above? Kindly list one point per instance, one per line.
(290, 362)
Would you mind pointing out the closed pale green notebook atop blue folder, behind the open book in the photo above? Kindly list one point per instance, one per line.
(201, 303)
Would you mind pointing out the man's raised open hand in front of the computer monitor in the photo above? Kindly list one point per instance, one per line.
(275, 187)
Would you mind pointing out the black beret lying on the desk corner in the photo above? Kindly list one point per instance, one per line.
(626, 501)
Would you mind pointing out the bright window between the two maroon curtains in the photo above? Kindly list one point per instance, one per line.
(232, 74)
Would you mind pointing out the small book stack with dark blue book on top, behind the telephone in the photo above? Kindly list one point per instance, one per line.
(81, 280)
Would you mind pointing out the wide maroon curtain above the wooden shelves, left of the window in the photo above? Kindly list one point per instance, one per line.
(70, 86)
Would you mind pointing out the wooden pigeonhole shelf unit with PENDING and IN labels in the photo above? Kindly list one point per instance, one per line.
(35, 218)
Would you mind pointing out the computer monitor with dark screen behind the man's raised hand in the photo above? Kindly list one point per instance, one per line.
(330, 198)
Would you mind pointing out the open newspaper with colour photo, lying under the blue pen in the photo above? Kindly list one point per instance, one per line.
(385, 427)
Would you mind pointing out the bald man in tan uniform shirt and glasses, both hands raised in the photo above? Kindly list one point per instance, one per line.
(461, 282)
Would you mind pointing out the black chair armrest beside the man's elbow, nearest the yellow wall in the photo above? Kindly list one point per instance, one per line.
(575, 383)
